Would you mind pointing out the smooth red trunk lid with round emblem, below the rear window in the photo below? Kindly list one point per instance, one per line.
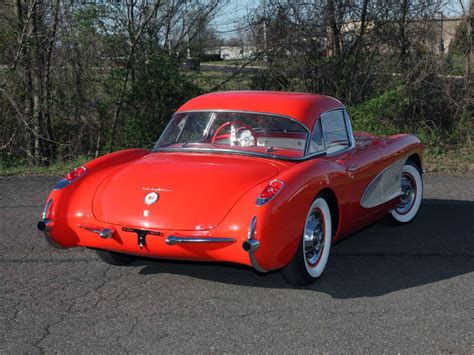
(195, 191)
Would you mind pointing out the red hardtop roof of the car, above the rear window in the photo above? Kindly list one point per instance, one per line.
(305, 108)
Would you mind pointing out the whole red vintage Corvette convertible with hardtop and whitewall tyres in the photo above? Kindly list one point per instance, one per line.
(264, 179)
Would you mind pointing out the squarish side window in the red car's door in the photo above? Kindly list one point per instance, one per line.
(334, 131)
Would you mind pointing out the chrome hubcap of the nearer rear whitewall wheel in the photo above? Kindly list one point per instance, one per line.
(314, 238)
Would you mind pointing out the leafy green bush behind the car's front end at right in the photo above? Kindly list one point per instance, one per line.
(417, 110)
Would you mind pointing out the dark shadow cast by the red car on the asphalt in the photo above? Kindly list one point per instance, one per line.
(437, 245)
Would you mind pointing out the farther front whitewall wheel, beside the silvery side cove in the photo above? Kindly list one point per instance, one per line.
(412, 194)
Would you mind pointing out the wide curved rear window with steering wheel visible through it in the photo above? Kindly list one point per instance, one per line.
(243, 132)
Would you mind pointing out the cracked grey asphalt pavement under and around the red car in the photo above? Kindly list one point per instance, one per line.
(396, 289)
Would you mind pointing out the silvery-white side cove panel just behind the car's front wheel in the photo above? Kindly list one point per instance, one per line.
(385, 187)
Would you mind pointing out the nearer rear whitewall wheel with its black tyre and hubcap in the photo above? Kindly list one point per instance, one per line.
(312, 255)
